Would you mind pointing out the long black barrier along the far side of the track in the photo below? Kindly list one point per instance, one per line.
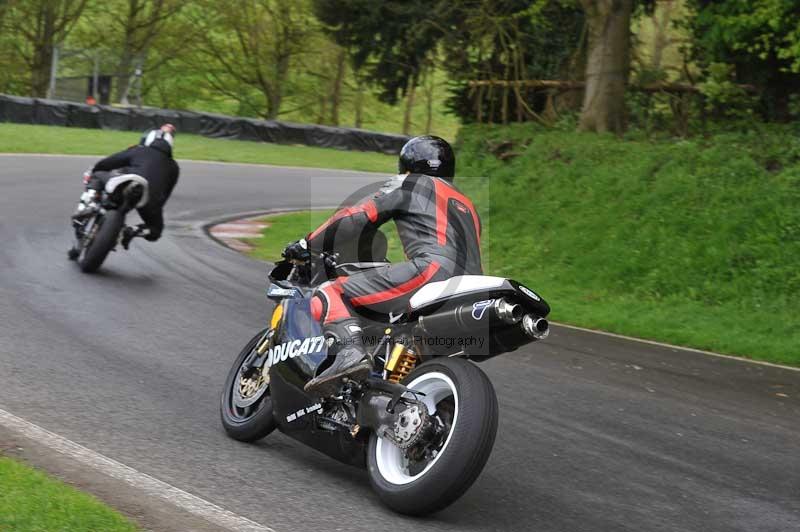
(59, 113)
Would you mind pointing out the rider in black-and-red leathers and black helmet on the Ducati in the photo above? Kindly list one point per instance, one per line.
(440, 232)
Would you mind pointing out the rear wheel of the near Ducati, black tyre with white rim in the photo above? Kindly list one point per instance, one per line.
(462, 402)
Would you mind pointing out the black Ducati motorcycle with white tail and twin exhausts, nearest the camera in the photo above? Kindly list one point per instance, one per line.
(424, 423)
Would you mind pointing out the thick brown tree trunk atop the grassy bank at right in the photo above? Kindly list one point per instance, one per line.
(607, 66)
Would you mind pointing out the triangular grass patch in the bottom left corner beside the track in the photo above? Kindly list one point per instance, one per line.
(31, 501)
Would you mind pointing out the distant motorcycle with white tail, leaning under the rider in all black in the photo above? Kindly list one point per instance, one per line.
(99, 222)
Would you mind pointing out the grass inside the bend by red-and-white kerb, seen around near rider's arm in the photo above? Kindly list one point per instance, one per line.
(288, 227)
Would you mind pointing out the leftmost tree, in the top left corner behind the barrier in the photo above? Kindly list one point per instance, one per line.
(41, 25)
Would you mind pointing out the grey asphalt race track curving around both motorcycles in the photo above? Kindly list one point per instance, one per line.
(596, 433)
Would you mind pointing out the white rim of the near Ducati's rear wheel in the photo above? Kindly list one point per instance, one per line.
(392, 465)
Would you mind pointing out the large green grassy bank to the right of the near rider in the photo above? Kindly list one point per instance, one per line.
(692, 242)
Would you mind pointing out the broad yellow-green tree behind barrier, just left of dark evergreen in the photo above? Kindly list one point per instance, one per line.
(249, 46)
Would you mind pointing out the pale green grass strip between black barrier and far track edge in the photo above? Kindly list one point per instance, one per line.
(22, 138)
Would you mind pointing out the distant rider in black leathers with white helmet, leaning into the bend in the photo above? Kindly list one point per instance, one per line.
(151, 159)
